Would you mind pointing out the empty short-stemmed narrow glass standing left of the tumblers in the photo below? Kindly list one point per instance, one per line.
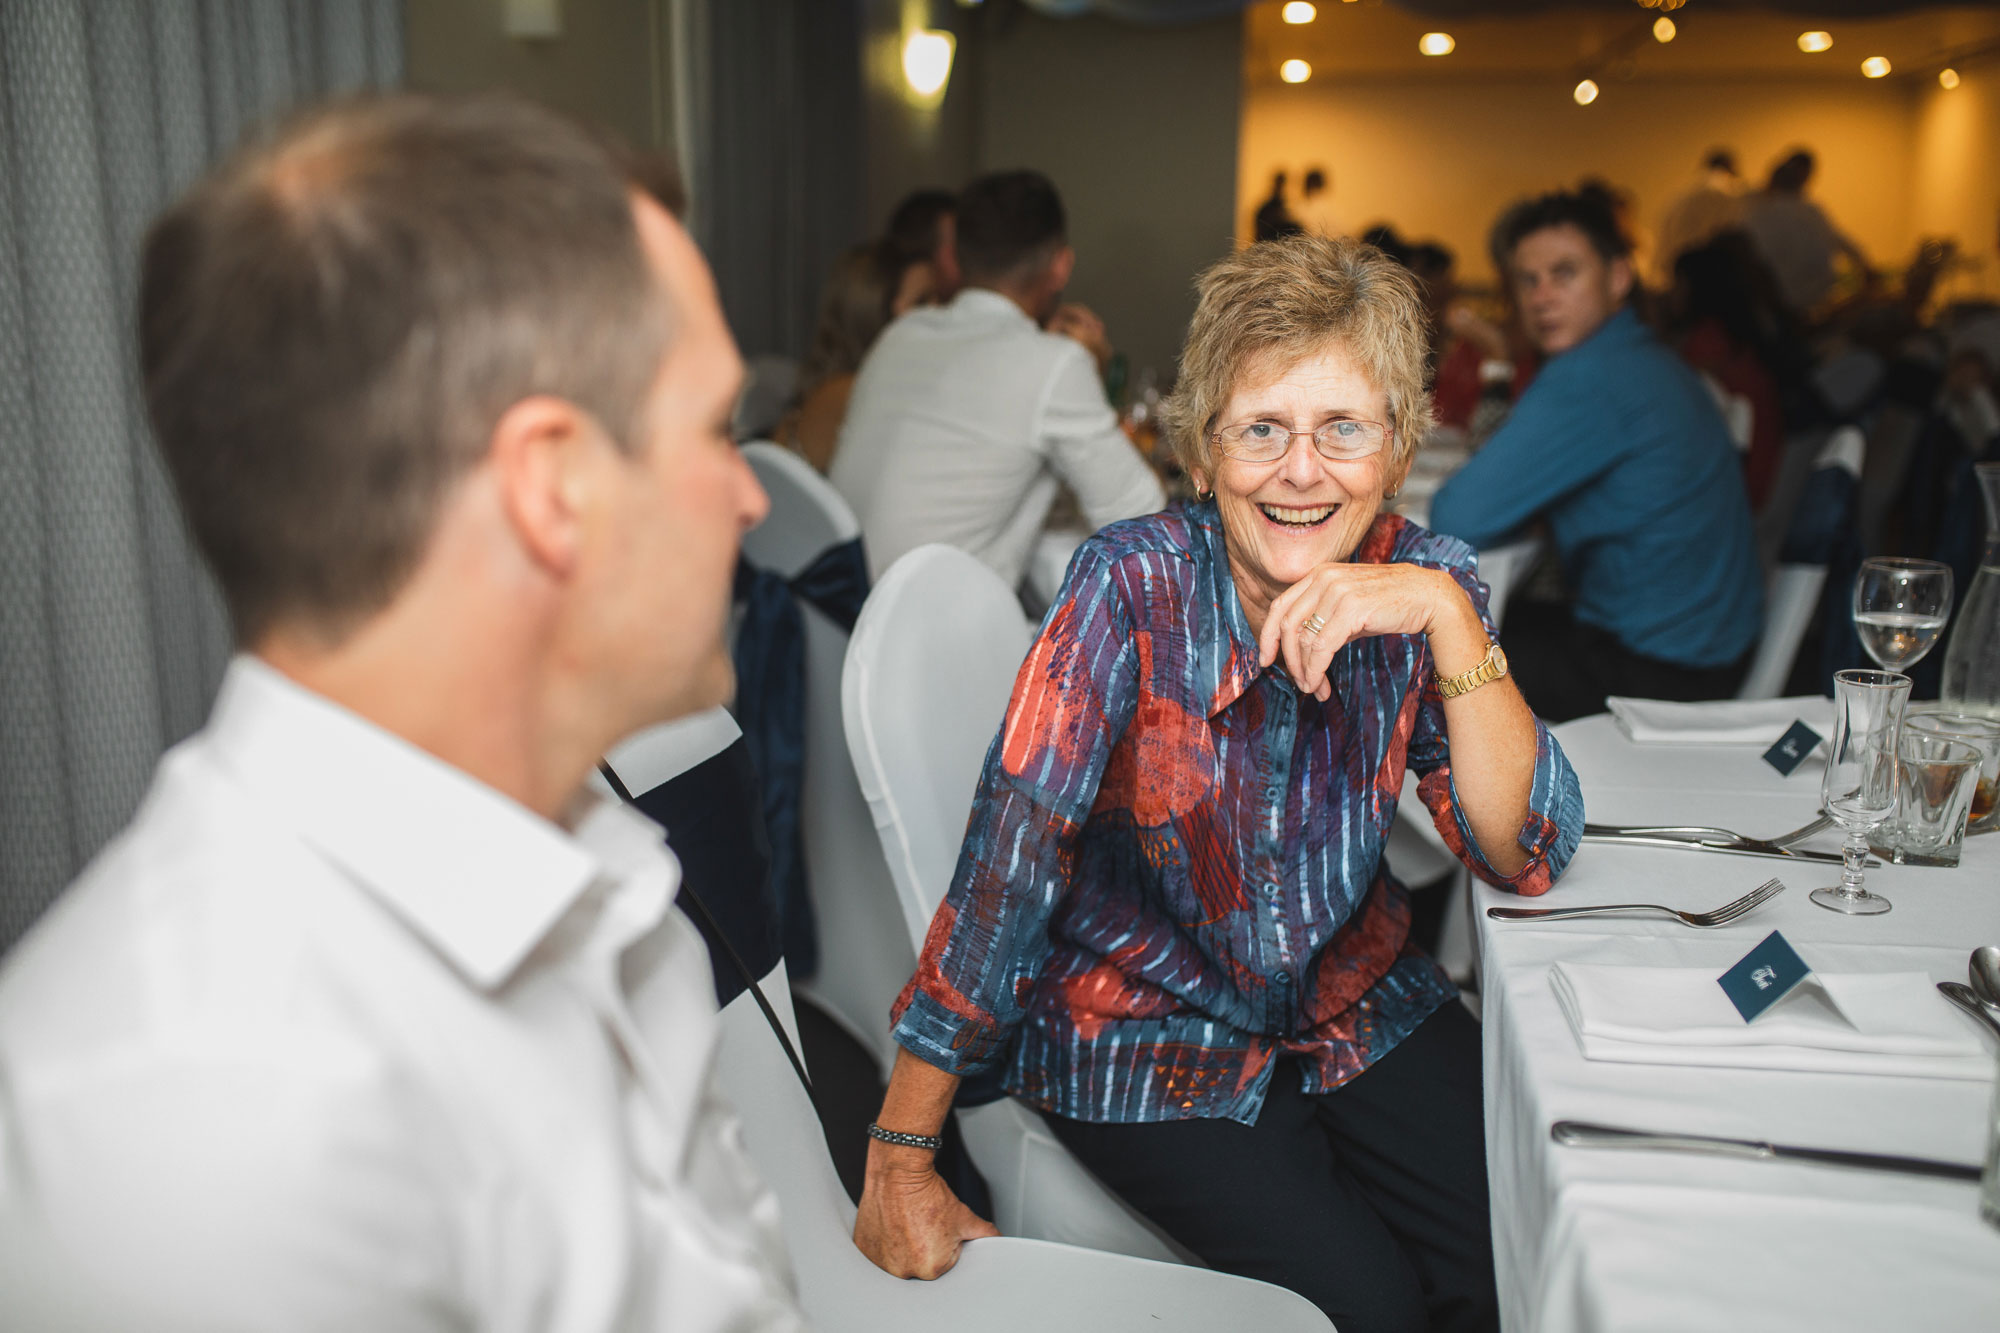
(1861, 778)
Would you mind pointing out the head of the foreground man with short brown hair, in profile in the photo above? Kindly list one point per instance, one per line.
(417, 349)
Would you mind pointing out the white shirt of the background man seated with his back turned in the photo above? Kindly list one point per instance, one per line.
(963, 425)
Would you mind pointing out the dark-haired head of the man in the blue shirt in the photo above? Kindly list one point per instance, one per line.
(1567, 265)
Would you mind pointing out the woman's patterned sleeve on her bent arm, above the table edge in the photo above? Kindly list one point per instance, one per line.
(1555, 824)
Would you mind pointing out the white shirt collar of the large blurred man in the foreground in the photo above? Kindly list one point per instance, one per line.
(473, 872)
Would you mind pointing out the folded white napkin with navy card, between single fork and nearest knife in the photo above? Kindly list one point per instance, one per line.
(1891, 1024)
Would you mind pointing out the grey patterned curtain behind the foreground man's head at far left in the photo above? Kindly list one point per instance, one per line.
(111, 635)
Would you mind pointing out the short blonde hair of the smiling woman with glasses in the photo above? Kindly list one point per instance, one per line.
(1279, 301)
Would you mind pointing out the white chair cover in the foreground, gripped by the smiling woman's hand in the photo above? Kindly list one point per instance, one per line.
(1001, 1286)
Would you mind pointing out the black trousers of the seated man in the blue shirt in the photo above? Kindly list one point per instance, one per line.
(1567, 670)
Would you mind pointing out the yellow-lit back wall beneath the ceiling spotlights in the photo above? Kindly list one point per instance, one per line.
(1439, 159)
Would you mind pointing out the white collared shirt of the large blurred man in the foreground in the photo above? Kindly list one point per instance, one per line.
(337, 1038)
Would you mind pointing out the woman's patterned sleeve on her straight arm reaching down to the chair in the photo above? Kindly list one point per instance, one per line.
(1073, 700)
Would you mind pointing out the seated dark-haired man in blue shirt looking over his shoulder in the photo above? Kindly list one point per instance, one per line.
(1625, 455)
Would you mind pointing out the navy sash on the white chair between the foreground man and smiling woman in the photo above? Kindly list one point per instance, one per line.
(771, 708)
